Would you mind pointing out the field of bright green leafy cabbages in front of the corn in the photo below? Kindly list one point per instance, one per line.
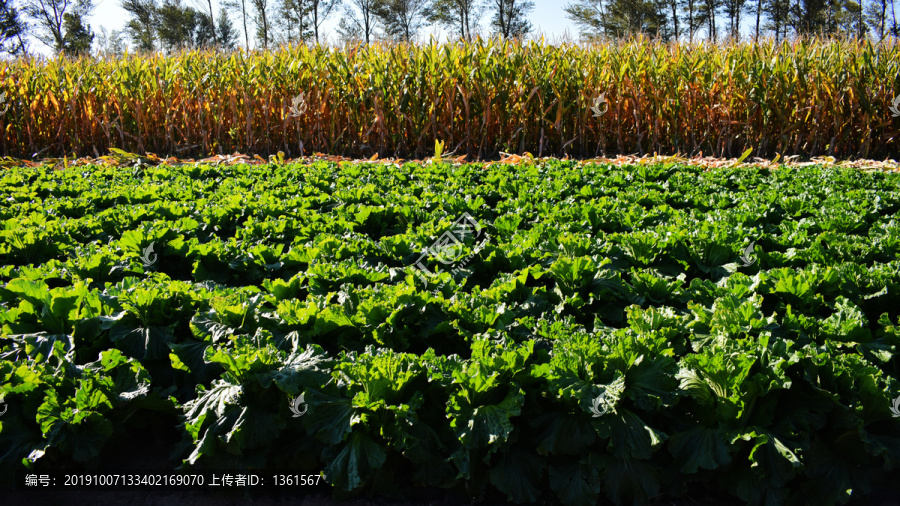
(550, 331)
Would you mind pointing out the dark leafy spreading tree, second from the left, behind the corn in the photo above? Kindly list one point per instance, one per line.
(49, 17)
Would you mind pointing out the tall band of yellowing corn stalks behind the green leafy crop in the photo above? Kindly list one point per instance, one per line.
(805, 97)
